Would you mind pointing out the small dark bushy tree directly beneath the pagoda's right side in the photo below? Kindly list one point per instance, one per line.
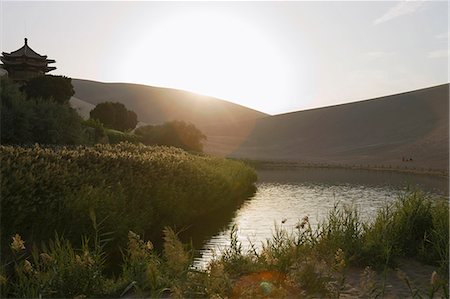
(58, 88)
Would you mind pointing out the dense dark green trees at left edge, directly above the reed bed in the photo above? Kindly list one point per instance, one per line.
(25, 121)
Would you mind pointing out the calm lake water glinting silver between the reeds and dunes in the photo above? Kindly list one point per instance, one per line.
(289, 195)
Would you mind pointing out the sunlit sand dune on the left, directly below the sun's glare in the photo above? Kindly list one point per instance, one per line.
(224, 123)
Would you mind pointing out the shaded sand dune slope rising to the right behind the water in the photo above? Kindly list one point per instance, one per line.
(378, 131)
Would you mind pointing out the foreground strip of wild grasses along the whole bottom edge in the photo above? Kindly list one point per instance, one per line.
(296, 264)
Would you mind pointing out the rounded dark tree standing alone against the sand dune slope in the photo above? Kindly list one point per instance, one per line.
(114, 116)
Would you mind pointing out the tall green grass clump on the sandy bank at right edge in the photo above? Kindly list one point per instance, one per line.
(411, 227)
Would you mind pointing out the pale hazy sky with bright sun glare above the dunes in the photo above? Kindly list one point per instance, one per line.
(271, 56)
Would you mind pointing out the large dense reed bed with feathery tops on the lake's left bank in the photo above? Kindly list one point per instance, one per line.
(130, 187)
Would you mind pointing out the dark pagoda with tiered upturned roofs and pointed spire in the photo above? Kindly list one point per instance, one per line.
(24, 63)
